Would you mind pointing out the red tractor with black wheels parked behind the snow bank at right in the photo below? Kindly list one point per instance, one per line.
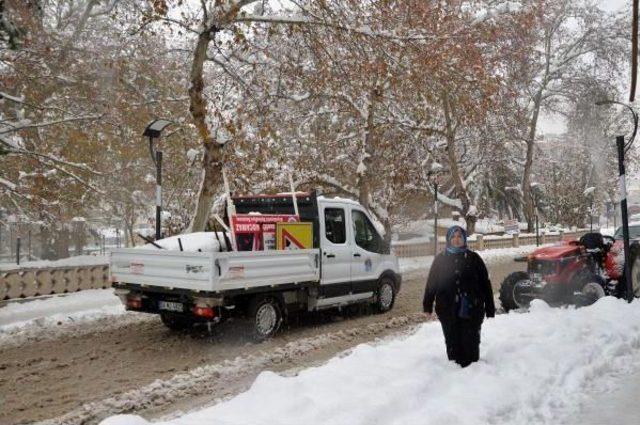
(572, 272)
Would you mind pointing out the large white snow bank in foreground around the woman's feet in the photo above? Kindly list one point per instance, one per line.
(535, 368)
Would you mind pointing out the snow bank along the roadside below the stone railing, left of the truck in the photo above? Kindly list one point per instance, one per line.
(53, 310)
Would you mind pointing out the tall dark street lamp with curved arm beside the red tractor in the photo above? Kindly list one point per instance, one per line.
(622, 148)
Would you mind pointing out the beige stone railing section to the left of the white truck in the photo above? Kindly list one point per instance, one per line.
(26, 282)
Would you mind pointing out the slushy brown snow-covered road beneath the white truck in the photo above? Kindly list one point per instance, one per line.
(82, 357)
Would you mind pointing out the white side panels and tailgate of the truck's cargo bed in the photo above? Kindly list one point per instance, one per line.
(214, 271)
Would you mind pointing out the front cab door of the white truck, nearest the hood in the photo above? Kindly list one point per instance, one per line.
(366, 249)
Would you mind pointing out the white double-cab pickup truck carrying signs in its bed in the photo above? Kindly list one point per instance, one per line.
(349, 263)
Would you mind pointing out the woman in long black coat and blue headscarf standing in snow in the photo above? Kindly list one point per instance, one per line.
(459, 284)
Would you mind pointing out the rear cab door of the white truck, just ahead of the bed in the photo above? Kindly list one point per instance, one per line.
(336, 252)
